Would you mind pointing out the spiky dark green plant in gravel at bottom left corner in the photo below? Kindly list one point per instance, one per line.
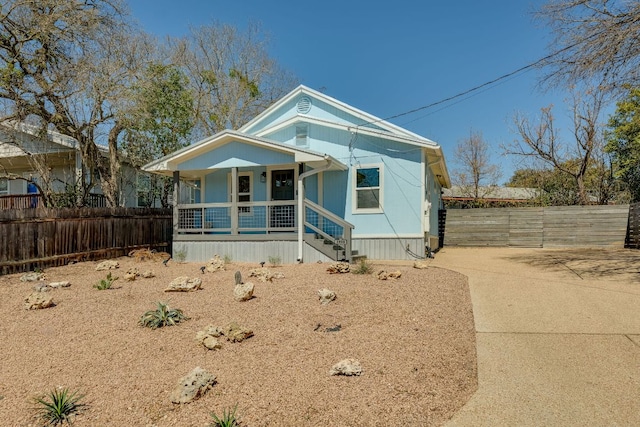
(59, 406)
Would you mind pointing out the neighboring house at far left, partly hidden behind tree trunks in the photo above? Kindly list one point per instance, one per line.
(20, 143)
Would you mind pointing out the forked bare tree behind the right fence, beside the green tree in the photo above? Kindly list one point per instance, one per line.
(540, 141)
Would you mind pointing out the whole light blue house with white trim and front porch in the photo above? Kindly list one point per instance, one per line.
(309, 179)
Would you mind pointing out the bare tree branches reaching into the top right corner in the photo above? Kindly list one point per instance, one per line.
(595, 40)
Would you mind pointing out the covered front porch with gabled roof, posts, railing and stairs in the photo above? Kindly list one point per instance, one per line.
(251, 191)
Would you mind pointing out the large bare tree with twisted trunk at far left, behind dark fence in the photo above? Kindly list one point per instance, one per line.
(69, 66)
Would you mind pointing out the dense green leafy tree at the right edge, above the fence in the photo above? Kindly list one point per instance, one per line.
(623, 141)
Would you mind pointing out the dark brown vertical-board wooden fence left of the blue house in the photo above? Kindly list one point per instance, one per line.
(38, 238)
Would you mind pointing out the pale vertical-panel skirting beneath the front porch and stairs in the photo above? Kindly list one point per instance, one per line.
(252, 250)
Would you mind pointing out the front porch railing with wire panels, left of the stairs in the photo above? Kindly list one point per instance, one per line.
(251, 217)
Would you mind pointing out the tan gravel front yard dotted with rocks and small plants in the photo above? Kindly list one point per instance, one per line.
(414, 337)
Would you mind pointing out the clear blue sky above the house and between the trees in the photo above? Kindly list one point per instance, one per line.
(390, 57)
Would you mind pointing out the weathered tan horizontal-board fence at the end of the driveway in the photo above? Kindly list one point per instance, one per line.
(555, 226)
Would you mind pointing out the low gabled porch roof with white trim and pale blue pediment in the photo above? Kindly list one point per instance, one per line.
(233, 149)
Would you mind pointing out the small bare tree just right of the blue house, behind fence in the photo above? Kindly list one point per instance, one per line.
(475, 169)
